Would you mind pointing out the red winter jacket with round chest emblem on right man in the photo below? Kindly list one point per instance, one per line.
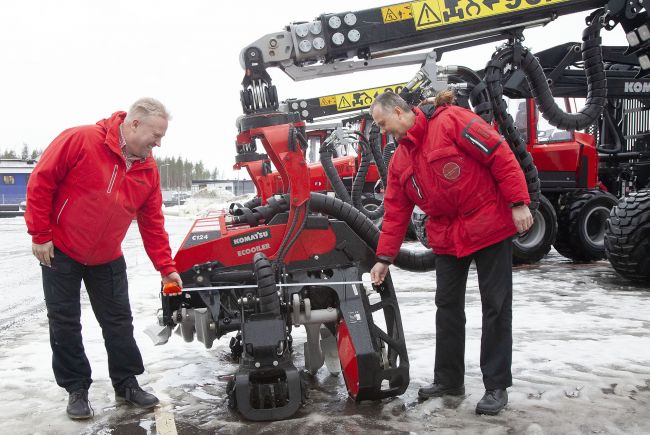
(462, 174)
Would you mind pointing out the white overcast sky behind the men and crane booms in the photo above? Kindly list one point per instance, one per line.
(72, 62)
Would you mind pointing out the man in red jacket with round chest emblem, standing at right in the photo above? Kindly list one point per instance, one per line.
(463, 175)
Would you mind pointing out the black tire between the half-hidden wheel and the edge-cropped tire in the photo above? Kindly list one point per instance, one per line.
(582, 220)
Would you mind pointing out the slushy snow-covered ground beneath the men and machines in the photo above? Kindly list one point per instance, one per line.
(581, 360)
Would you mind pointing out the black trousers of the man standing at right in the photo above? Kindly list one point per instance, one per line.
(494, 268)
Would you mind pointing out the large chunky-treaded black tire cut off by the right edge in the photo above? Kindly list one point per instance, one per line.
(627, 240)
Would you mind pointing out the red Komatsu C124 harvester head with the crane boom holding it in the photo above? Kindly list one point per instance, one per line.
(299, 258)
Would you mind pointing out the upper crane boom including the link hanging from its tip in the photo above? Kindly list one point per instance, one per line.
(346, 42)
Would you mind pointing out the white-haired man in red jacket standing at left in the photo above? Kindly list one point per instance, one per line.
(88, 186)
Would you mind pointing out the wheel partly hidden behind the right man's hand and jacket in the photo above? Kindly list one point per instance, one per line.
(535, 244)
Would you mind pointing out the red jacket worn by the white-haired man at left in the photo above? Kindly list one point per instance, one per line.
(81, 197)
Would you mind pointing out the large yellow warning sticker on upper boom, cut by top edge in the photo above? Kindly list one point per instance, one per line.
(433, 13)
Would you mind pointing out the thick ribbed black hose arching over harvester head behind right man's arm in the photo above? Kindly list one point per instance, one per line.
(360, 224)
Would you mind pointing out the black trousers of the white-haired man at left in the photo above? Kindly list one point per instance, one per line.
(107, 289)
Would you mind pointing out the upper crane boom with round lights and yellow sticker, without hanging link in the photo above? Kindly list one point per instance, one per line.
(404, 27)
